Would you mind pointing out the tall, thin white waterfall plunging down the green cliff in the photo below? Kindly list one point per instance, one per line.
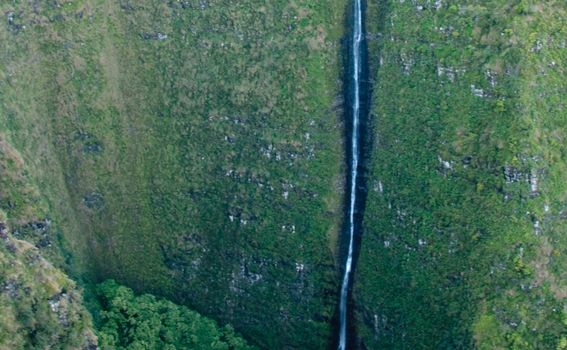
(355, 153)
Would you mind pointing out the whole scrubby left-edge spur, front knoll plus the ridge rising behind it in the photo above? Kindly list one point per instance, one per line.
(40, 307)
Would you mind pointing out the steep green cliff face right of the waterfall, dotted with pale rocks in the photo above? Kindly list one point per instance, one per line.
(464, 227)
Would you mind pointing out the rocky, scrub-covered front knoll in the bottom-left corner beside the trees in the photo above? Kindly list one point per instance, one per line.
(40, 307)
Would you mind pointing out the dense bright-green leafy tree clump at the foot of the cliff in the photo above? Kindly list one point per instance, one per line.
(145, 322)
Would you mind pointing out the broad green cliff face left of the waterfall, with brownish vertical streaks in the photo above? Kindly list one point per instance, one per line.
(187, 148)
